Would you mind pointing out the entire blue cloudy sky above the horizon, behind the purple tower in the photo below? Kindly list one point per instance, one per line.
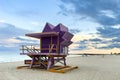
(94, 23)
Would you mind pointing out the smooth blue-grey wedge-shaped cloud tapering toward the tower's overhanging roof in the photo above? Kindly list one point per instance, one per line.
(9, 31)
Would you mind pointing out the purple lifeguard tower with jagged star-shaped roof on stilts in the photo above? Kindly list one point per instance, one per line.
(53, 48)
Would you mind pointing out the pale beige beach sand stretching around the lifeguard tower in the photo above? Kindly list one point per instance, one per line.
(90, 68)
